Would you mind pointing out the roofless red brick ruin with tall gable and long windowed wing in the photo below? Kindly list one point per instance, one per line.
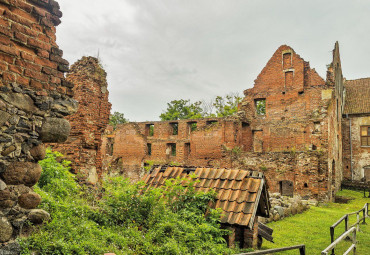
(289, 126)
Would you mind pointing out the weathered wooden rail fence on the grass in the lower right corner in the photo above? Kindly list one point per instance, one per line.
(365, 213)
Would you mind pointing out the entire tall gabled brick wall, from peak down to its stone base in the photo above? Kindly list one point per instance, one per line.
(300, 118)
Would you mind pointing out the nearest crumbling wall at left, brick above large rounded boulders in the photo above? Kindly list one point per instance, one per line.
(34, 98)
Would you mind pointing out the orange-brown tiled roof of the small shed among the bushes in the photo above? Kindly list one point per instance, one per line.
(239, 192)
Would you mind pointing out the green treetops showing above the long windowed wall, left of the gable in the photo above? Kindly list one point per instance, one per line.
(216, 107)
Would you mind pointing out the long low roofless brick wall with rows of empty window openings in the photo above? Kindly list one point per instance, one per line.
(200, 142)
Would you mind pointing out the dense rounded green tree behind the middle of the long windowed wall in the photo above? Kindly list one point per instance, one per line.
(182, 109)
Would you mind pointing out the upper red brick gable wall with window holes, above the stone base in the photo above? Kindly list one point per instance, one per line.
(293, 104)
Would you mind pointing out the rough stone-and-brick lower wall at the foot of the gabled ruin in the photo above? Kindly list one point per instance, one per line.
(303, 173)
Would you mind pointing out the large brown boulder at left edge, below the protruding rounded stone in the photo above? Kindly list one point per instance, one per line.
(18, 173)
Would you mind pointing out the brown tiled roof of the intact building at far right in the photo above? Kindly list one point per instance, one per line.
(357, 99)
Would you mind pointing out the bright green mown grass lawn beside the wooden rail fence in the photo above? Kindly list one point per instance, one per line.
(312, 227)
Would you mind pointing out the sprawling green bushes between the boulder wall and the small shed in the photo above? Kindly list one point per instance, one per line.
(126, 220)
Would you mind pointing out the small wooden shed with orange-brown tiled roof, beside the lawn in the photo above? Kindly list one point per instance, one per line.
(241, 194)
